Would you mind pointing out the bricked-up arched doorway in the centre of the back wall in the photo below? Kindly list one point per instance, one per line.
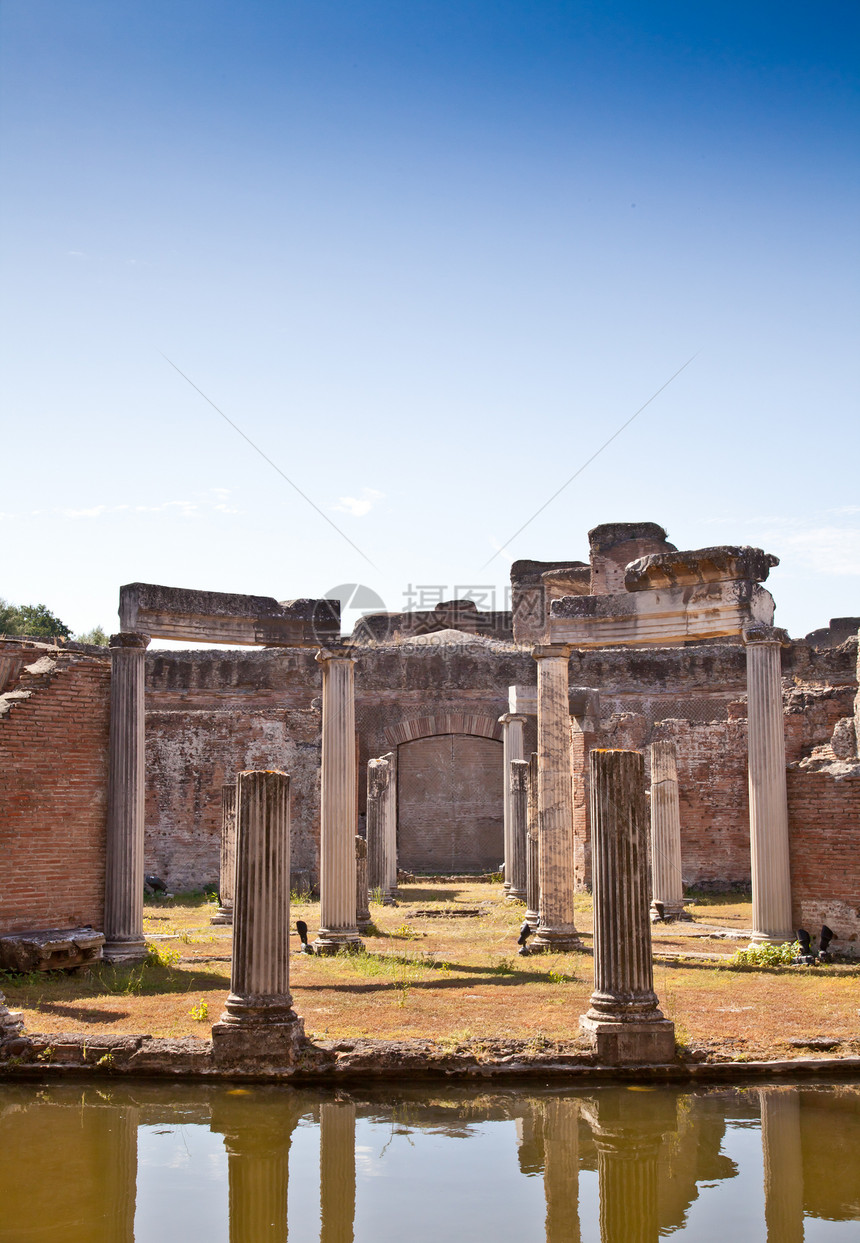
(451, 806)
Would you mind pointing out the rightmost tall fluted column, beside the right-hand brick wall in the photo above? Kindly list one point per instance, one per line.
(769, 801)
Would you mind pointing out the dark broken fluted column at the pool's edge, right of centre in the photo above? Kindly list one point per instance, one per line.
(623, 1022)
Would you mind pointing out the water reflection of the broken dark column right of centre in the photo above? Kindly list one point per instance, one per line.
(628, 1135)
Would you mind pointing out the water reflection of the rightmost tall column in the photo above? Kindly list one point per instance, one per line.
(784, 1164)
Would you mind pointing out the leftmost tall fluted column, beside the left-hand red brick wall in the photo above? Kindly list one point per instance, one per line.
(124, 853)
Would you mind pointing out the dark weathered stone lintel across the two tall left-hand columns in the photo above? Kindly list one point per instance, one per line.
(223, 617)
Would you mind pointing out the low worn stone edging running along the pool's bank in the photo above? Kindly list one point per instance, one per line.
(73, 1056)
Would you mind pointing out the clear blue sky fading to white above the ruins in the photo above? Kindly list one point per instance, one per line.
(428, 255)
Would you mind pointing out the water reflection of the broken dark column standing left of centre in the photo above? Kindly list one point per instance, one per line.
(258, 1137)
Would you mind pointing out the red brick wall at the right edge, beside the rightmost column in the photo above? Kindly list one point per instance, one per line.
(825, 835)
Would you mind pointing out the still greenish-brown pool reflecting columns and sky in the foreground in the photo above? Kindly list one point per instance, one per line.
(157, 1164)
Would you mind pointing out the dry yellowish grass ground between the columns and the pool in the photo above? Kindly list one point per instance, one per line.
(452, 980)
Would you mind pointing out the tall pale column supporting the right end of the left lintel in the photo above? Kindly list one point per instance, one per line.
(339, 925)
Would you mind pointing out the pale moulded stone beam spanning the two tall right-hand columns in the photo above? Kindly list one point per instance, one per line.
(637, 620)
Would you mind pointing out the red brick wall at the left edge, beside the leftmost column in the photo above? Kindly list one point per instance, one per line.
(54, 758)
